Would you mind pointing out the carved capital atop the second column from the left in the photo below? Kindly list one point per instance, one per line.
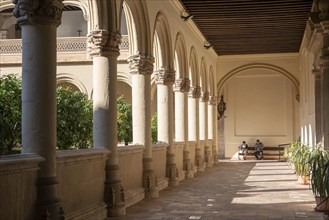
(103, 43)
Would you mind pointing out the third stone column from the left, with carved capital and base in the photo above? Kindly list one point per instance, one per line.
(141, 68)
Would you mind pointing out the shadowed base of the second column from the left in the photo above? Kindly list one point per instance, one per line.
(114, 196)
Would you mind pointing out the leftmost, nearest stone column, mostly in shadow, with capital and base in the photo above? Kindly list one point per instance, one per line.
(39, 25)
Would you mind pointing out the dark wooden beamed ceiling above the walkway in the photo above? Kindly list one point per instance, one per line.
(251, 26)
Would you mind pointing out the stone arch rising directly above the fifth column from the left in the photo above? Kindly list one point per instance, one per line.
(180, 57)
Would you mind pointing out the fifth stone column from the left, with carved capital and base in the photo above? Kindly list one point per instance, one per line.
(182, 86)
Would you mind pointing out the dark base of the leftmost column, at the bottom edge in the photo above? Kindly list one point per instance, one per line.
(47, 205)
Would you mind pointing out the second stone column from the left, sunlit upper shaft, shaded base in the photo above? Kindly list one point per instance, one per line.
(104, 49)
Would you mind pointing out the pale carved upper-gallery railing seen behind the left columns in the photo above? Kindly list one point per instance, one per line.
(64, 45)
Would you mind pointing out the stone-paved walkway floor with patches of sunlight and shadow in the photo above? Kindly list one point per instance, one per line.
(232, 190)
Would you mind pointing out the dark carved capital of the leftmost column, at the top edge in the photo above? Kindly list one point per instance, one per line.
(38, 12)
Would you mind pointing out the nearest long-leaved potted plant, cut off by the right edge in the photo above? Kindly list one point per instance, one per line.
(319, 168)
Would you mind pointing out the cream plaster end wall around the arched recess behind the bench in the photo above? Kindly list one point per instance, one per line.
(261, 102)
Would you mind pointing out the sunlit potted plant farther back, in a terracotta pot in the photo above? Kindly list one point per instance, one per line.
(299, 158)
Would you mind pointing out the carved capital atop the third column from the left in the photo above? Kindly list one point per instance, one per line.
(141, 64)
